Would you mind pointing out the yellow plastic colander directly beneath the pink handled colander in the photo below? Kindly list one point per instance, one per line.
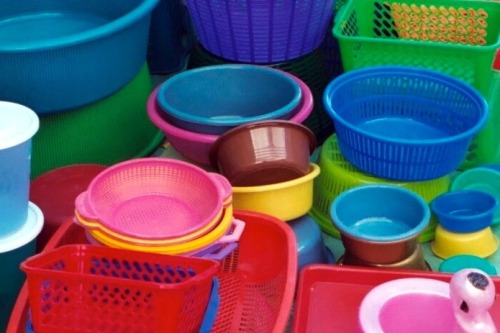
(180, 248)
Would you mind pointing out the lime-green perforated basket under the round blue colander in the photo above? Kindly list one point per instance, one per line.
(338, 175)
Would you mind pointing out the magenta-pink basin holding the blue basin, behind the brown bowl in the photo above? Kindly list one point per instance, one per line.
(196, 146)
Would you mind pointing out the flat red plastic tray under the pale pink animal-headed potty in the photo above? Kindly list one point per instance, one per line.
(328, 296)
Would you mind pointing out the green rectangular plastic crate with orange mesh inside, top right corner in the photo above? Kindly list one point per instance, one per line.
(458, 38)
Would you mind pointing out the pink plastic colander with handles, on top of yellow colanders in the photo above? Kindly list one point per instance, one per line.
(153, 199)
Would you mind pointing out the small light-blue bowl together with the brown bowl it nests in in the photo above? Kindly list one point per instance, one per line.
(379, 223)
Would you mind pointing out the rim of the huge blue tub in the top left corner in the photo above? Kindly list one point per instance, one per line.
(144, 7)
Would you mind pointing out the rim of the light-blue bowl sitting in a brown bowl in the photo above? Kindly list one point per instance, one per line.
(415, 231)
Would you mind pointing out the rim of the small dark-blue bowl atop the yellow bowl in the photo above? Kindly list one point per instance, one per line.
(436, 209)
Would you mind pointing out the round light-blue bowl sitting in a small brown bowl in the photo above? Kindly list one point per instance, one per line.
(380, 213)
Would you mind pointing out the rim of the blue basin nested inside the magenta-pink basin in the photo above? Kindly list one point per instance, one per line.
(180, 115)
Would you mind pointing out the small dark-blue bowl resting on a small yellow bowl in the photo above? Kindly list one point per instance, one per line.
(464, 211)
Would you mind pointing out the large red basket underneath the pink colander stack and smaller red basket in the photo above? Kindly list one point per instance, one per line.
(257, 281)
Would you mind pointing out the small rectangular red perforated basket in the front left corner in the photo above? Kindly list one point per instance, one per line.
(86, 288)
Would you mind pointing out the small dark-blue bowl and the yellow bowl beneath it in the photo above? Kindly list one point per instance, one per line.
(465, 218)
